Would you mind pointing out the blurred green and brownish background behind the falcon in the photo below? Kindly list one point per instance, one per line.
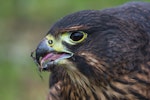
(23, 23)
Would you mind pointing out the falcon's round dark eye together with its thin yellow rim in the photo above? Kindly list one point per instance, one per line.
(77, 36)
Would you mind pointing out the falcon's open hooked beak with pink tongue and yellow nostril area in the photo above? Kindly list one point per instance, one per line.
(46, 56)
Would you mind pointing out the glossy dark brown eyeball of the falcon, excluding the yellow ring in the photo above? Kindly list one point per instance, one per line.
(77, 36)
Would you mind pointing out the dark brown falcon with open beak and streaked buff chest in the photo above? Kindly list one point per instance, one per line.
(99, 54)
